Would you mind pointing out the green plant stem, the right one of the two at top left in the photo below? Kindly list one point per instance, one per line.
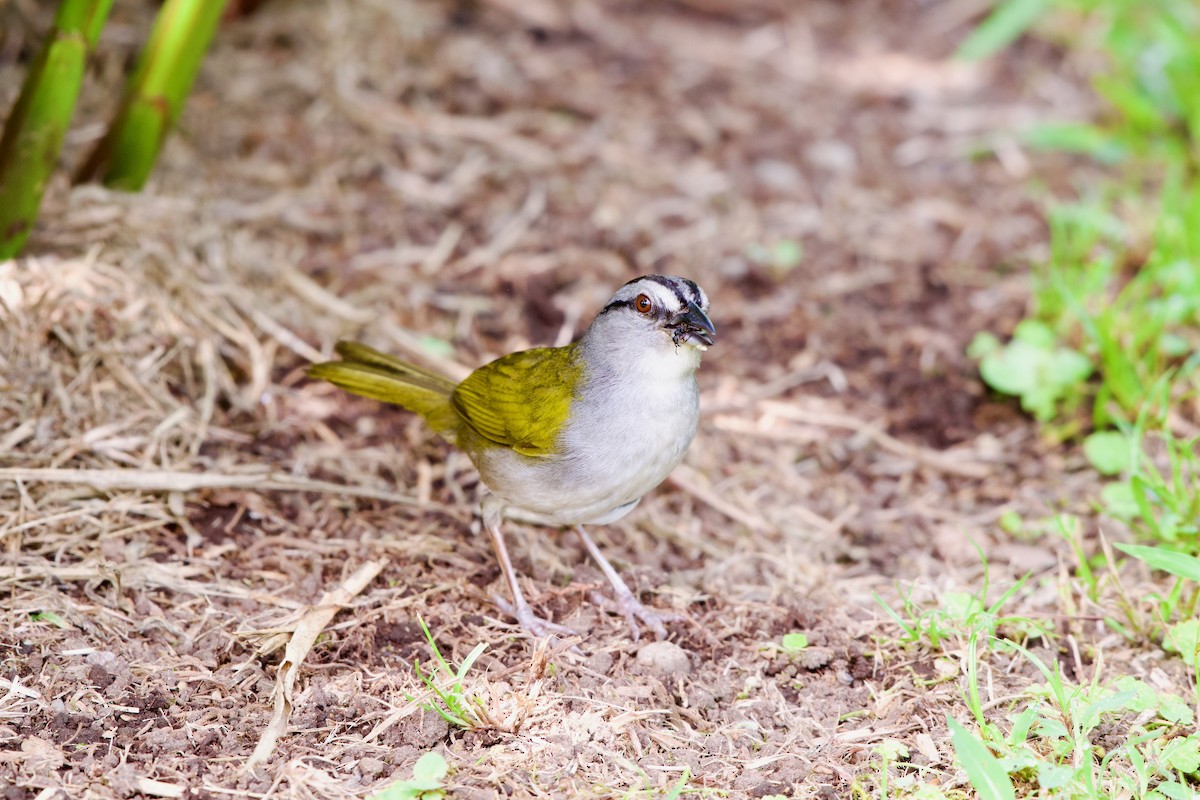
(155, 94)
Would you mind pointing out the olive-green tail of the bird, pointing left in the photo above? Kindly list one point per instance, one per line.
(368, 372)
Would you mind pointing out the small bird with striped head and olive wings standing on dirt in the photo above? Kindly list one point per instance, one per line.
(565, 436)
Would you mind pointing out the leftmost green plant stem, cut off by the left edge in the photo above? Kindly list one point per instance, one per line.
(33, 135)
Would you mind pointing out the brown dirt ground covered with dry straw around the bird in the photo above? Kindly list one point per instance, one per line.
(461, 181)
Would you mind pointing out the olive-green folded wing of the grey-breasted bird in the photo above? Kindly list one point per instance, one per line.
(521, 401)
